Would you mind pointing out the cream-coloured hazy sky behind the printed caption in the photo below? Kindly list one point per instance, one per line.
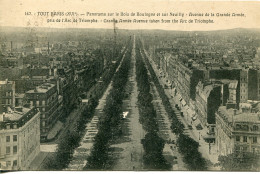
(12, 13)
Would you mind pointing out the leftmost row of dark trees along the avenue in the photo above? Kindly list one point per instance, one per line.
(71, 139)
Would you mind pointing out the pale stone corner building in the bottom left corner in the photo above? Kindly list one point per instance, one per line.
(19, 138)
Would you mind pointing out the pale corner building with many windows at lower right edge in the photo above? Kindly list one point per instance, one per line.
(237, 130)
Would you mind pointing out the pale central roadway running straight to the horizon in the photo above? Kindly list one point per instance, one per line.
(130, 156)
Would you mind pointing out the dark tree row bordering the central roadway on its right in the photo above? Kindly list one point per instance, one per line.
(152, 143)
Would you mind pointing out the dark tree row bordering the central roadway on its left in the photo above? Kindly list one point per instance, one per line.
(109, 123)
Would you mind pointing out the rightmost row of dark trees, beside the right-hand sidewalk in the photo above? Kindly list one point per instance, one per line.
(187, 146)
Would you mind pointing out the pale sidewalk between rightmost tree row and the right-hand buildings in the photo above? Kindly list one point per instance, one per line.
(207, 152)
